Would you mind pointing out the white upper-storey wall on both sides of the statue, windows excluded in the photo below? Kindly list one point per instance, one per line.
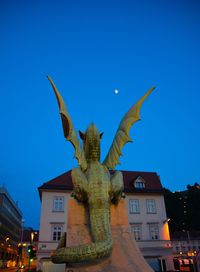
(48, 216)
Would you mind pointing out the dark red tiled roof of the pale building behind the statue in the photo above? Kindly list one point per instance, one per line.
(151, 179)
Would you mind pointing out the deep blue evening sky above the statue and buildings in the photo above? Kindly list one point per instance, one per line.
(91, 48)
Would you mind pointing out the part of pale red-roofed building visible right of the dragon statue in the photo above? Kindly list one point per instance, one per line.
(147, 217)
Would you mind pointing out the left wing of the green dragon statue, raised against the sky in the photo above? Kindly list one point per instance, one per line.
(68, 129)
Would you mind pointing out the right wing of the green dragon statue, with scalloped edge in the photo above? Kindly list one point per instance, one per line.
(122, 135)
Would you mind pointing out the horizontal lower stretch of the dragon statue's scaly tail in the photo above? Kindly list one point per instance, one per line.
(82, 253)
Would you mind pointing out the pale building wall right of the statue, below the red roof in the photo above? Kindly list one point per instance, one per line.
(154, 250)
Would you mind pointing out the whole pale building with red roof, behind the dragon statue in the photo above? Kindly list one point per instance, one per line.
(145, 208)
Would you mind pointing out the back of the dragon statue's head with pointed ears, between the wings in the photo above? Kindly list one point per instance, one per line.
(91, 143)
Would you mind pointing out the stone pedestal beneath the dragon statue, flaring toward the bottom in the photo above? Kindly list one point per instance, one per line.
(125, 256)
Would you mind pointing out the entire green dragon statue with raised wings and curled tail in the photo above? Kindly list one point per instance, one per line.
(93, 183)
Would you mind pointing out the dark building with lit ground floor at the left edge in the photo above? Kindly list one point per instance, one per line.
(10, 229)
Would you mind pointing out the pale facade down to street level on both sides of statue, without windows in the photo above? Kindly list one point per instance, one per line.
(150, 248)
